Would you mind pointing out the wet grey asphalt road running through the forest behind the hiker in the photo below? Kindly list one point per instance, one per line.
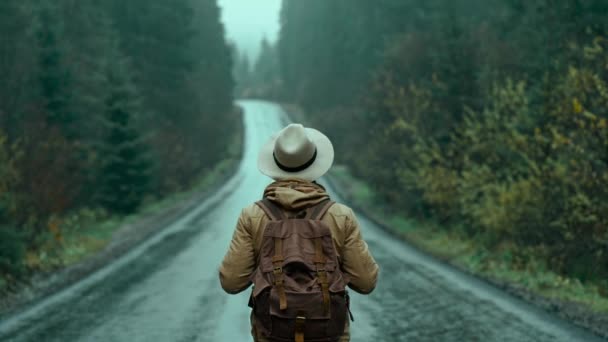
(167, 289)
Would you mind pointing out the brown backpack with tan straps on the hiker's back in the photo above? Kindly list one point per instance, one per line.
(299, 290)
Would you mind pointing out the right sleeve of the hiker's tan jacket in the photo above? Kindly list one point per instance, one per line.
(358, 263)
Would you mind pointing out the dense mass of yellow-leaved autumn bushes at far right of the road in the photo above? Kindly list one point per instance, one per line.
(536, 175)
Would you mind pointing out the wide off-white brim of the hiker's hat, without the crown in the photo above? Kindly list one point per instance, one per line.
(322, 164)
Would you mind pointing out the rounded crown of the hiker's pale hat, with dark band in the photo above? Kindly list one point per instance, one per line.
(293, 148)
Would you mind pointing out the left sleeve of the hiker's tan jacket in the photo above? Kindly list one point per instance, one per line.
(239, 261)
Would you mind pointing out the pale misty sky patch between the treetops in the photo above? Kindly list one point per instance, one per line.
(247, 21)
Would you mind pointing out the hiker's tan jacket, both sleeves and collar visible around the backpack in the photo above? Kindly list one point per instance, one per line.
(294, 195)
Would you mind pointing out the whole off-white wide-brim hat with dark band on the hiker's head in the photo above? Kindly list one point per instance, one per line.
(296, 152)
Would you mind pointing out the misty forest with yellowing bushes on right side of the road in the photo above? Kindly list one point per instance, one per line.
(489, 117)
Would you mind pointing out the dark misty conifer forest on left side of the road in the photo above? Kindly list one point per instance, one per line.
(104, 104)
